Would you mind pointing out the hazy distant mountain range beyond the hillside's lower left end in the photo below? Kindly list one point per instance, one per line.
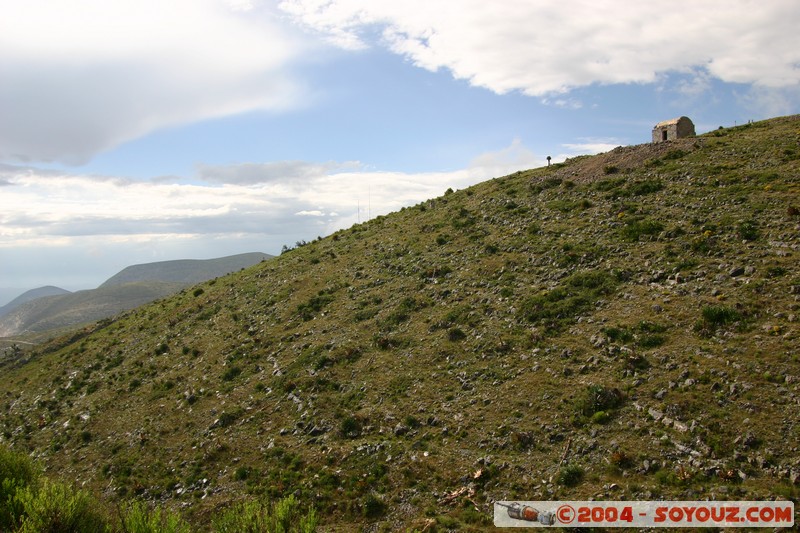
(133, 286)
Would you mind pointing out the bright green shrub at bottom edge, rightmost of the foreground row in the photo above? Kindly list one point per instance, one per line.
(285, 516)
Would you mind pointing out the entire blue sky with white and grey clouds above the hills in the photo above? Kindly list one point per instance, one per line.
(145, 130)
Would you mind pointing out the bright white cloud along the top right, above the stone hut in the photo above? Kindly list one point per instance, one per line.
(541, 48)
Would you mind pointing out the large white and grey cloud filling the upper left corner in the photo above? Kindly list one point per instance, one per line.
(84, 76)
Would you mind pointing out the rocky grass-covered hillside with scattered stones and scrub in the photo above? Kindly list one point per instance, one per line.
(622, 326)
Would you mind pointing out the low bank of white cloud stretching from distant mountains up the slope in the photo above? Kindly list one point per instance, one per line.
(74, 230)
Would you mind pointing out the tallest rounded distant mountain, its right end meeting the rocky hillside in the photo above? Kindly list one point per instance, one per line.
(186, 271)
